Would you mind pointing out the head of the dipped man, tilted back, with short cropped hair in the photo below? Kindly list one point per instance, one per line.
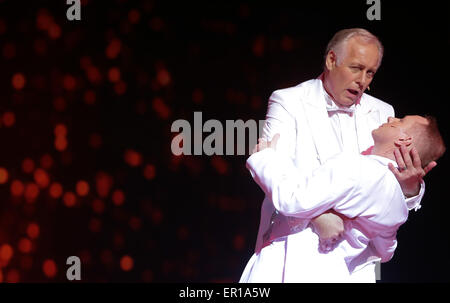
(411, 131)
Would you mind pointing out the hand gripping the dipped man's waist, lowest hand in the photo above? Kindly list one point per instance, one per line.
(329, 226)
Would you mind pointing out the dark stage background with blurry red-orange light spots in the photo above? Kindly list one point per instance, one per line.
(187, 218)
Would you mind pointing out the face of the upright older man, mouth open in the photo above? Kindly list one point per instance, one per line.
(350, 74)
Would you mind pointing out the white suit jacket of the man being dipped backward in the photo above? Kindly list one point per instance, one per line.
(359, 187)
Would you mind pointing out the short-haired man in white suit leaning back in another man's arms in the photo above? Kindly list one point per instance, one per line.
(360, 187)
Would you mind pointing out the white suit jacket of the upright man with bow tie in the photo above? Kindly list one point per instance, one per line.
(299, 115)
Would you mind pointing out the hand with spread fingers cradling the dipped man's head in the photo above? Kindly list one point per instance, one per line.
(409, 172)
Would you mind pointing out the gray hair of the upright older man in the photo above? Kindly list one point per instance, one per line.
(340, 39)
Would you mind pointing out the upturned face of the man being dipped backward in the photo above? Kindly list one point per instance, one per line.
(397, 130)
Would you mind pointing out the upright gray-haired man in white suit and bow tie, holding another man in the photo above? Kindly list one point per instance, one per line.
(318, 119)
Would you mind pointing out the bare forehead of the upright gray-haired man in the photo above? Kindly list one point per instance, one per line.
(362, 51)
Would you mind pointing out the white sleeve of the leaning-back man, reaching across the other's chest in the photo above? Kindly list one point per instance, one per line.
(305, 196)
